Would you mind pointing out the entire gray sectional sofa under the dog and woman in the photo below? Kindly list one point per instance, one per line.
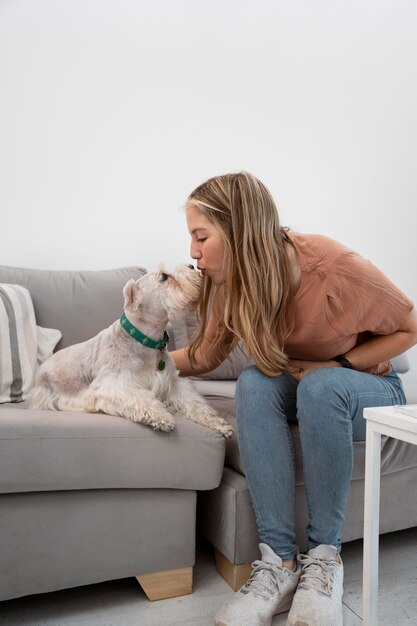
(87, 498)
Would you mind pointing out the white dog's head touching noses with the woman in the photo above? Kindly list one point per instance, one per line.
(160, 295)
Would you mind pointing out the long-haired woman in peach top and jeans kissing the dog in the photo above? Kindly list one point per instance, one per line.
(321, 325)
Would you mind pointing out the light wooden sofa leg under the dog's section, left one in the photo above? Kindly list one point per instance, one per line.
(169, 584)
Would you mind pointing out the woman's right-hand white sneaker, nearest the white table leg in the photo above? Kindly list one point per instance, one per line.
(318, 601)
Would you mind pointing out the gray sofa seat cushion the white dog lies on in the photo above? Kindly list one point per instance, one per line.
(53, 451)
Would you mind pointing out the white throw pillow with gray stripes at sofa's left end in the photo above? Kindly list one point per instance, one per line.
(18, 343)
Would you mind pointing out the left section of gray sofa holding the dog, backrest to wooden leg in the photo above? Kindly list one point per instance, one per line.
(87, 498)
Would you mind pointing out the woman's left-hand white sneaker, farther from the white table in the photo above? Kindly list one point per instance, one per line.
(269, 591)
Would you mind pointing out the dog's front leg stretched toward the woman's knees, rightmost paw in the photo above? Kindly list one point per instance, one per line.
(188, 403)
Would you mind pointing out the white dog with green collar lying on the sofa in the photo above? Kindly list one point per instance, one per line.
(126, 370)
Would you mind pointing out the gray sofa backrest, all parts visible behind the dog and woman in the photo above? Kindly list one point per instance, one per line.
(81, 303)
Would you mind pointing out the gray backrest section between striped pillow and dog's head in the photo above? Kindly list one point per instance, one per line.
(79, 304)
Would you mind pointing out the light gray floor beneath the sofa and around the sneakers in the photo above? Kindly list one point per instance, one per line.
(123, 603)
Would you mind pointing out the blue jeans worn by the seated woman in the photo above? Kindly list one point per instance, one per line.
(328, 405)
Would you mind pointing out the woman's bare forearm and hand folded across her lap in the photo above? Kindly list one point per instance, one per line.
(375, 350)
